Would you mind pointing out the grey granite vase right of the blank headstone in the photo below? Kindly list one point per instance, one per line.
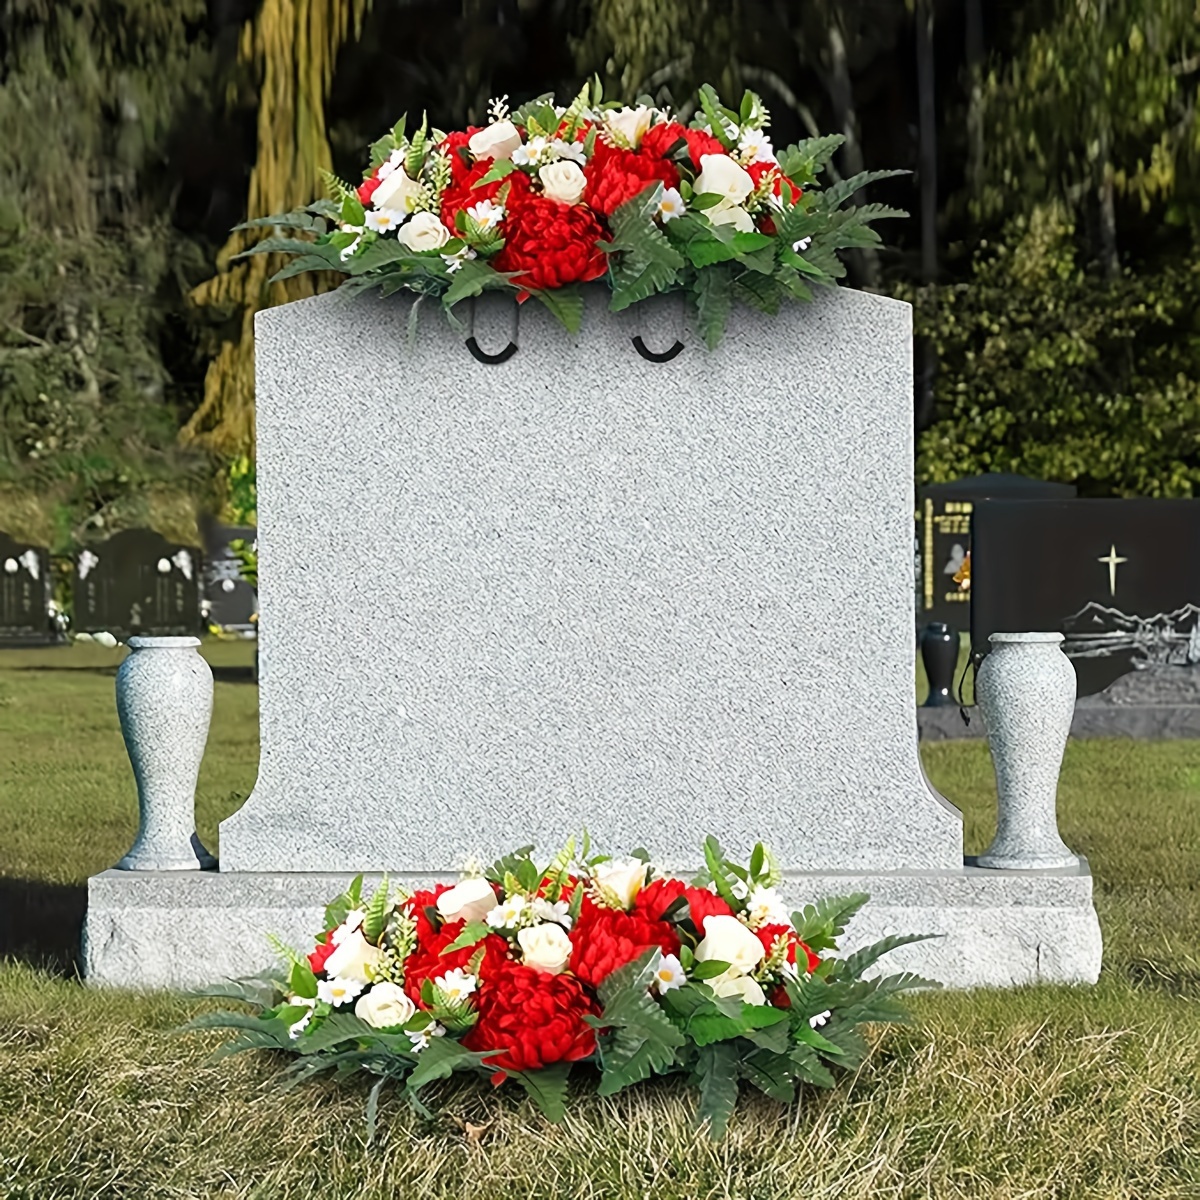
(1027, 691)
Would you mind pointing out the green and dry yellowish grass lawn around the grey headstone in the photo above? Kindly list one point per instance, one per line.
(1046, 1091)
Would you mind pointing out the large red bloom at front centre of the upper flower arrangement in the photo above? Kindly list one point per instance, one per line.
(551, 244)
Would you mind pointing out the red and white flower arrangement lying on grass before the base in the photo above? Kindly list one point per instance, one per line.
(521, 971)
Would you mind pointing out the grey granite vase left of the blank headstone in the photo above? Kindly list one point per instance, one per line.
(165, 704)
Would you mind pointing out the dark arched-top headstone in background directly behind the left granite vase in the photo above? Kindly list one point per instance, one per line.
(137, 583)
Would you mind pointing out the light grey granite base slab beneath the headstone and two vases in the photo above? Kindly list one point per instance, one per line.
(171, 929)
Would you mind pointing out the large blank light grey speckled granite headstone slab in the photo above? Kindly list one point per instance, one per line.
(580, 589)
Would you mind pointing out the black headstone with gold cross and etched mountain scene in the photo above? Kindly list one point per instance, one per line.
(1119, 579)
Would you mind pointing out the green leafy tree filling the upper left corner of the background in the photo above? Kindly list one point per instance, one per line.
(91, 93)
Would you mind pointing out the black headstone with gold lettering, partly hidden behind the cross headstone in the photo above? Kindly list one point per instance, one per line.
(944, 539)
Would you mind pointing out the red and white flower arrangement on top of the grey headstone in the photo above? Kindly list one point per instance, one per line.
(547, 197)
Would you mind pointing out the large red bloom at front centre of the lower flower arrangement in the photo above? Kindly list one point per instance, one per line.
(535, 1019)
